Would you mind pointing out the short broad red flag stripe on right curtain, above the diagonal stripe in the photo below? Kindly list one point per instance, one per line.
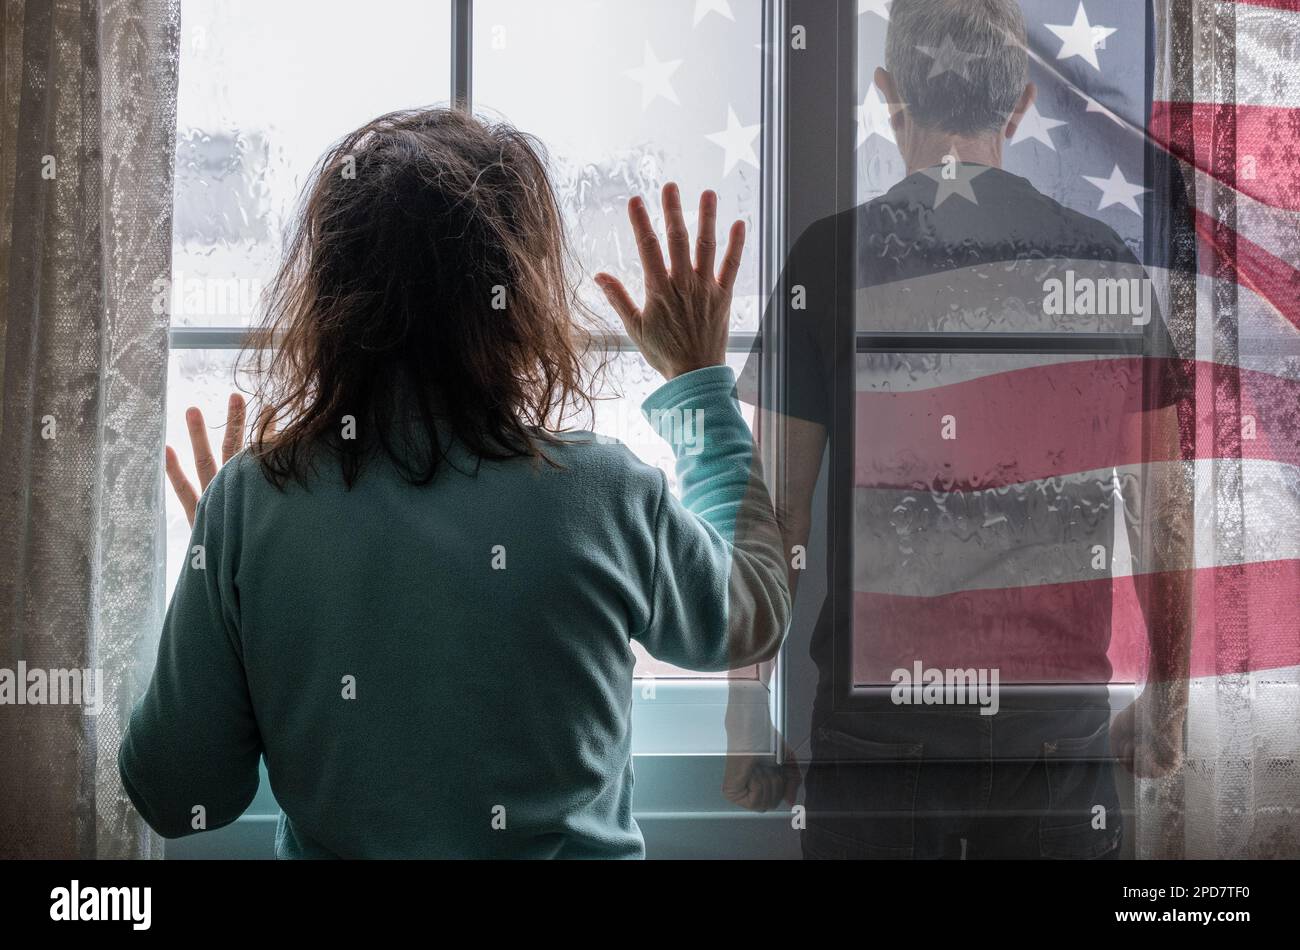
(1268, 138)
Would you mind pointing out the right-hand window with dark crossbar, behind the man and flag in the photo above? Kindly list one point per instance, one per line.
(973, 384)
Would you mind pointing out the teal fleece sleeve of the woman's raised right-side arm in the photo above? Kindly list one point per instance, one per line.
(721, 597)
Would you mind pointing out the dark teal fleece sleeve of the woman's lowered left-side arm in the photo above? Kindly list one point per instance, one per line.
(193, 740)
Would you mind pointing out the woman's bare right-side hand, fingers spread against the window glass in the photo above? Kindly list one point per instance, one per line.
(684, 323)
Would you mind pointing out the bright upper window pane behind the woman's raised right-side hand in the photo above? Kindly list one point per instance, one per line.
(629, 97)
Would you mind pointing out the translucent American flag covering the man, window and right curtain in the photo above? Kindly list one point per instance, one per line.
(1087, 472)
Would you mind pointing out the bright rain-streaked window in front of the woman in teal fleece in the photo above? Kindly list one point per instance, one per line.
(652, 92)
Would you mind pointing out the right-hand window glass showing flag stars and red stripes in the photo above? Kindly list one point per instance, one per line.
(987, 532)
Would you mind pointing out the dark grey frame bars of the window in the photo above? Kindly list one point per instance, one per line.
(809, 172)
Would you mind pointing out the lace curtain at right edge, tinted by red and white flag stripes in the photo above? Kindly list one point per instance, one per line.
(1238, 793)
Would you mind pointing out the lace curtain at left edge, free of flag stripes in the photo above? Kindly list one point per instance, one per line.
(86, 159)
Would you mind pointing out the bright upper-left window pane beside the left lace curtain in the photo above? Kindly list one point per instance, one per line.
(265, 90)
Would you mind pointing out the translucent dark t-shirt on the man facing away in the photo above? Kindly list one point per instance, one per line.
(985, 485)
